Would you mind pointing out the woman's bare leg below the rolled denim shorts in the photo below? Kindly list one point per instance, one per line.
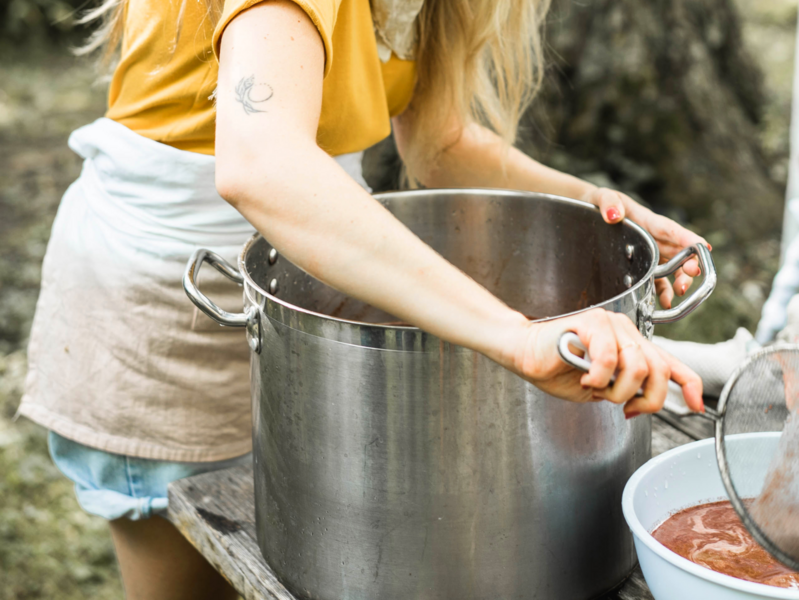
(157, 563)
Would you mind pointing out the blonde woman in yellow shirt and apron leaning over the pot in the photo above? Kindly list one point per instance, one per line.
(138, 389)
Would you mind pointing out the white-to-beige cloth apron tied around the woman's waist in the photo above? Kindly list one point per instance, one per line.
(119, 358)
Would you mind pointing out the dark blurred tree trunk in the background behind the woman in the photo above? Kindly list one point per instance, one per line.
(658, 98)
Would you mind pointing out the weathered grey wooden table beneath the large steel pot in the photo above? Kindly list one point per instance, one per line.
(216, 513)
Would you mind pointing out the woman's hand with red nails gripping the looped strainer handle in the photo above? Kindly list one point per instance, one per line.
(616, 347)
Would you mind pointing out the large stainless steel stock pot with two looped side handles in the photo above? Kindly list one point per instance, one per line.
(390, 465)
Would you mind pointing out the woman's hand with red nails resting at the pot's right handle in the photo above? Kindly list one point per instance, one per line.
(670, 237)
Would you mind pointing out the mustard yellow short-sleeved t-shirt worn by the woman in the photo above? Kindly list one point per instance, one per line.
(162, 86)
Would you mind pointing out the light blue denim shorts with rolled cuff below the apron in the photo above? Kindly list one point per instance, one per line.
(114, 486)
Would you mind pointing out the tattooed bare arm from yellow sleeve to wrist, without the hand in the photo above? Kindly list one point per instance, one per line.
(271, 169)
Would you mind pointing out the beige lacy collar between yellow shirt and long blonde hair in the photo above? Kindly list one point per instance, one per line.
(394, 27)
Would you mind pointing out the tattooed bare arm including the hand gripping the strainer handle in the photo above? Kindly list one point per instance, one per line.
(270, 168)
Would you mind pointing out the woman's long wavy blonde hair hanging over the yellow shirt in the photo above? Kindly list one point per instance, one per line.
(478, 61)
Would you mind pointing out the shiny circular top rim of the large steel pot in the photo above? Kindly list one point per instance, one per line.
(650, 241)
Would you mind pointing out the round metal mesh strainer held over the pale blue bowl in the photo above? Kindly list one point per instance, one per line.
(761, 396)
